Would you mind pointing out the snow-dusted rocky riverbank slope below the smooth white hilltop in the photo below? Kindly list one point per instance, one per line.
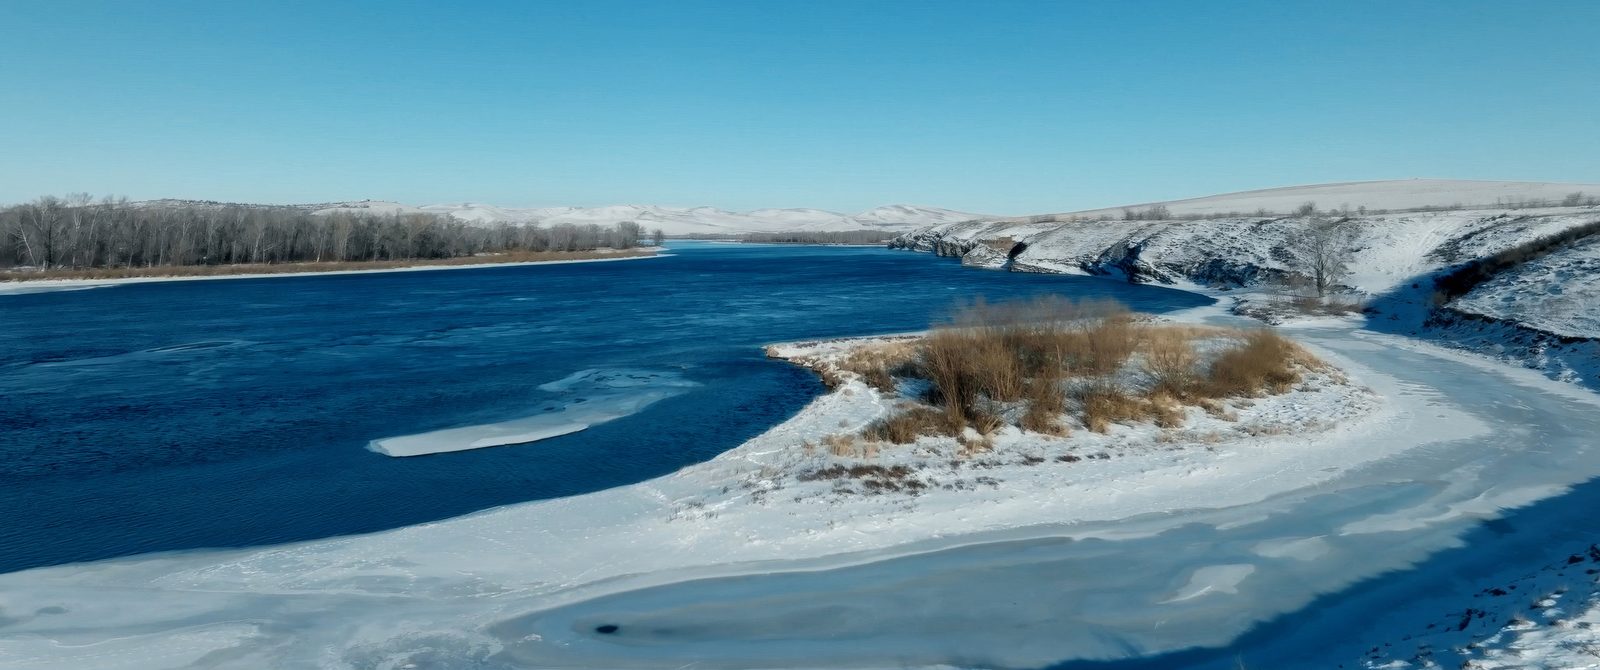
(1244, 252)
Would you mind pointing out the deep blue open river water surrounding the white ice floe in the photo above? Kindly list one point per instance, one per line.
(185, 415)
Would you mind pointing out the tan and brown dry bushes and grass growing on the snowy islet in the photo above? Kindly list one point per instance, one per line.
(1026, 361)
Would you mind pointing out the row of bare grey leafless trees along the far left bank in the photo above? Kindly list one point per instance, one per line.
(84, 233)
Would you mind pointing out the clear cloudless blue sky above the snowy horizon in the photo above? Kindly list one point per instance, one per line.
(983, 106)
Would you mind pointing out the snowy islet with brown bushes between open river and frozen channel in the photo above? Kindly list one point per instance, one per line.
(940, 413)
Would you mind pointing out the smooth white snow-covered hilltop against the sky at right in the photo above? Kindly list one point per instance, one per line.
(1402, 194)
